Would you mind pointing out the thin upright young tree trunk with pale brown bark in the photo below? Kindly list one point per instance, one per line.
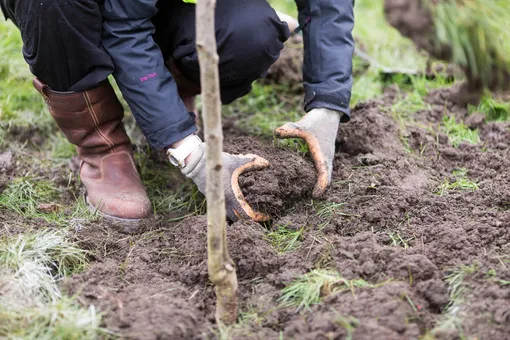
(220, 266)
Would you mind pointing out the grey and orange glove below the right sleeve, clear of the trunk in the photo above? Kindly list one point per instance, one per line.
(318, 128)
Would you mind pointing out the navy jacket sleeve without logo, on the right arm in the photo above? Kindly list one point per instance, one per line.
(328, 43)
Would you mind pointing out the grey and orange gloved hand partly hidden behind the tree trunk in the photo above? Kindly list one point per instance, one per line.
(233, 167)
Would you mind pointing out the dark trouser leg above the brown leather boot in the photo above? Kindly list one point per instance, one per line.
(62, 43)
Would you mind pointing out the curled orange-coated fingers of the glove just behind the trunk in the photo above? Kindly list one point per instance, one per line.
(243, 210)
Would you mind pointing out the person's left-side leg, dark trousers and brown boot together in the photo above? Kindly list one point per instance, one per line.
(62, 45)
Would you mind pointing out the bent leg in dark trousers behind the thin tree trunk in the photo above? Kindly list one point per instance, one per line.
(249, 35)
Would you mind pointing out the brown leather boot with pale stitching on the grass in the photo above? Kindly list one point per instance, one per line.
(92, 120)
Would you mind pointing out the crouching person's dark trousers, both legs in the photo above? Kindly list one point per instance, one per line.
(62, 42)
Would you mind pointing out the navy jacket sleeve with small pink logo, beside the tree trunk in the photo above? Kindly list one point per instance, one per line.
(140, 72)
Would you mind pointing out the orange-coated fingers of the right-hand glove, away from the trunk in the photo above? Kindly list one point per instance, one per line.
(293, 130)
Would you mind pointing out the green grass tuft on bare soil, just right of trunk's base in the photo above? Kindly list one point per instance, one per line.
(317, 284)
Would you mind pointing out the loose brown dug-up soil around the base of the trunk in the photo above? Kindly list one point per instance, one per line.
(390, 228)
